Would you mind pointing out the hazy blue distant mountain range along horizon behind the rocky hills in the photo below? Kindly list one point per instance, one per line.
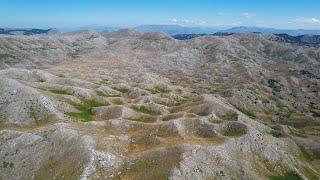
(171, 30)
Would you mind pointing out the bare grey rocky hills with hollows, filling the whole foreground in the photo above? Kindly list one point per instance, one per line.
(130, 105)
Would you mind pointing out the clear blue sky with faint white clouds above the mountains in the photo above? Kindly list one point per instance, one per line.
(71, 13)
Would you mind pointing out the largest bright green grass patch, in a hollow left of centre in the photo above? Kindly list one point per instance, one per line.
(85, 109)
